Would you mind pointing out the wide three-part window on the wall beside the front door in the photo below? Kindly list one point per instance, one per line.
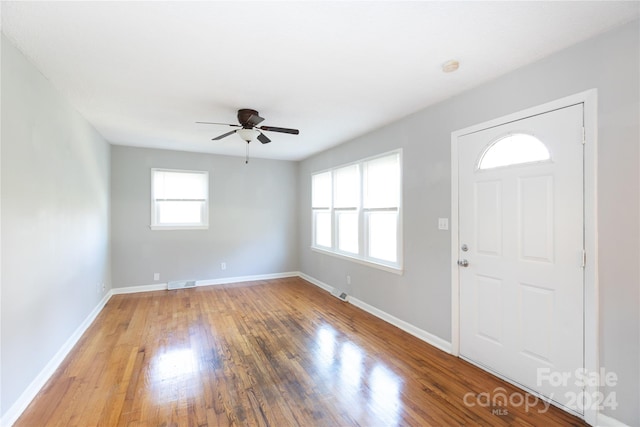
(356, 210)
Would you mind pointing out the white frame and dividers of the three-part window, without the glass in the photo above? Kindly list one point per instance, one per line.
(363, 213)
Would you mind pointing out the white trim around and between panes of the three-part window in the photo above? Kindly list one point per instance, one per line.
(398, 267)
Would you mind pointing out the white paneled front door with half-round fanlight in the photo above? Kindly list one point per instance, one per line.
(521, 241)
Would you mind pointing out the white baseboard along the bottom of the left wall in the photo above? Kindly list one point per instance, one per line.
(14, 412)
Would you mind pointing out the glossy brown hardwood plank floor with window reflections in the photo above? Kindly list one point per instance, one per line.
(268, 353)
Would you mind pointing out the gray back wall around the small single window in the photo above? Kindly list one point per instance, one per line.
(252, 219)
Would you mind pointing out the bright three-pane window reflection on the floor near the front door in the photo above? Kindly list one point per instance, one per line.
(352, 375)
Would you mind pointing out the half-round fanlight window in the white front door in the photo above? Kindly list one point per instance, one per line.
(514, 149)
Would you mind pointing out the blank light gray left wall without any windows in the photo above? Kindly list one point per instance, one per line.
(55, 222)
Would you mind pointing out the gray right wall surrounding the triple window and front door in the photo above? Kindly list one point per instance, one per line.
(422, 296)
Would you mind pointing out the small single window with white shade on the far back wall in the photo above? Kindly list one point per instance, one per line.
(179, 199)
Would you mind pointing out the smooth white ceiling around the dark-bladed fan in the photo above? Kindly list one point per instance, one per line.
(143, 72)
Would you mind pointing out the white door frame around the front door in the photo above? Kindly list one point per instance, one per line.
(589, 99)
